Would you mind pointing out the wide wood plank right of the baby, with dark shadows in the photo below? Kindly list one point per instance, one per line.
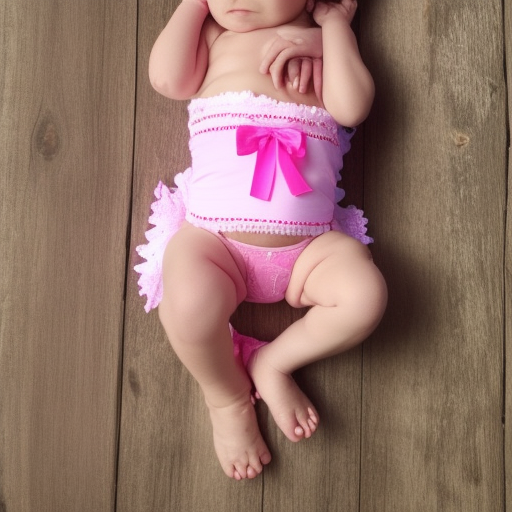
(435, 169)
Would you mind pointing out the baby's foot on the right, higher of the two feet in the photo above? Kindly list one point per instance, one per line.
(290, 407)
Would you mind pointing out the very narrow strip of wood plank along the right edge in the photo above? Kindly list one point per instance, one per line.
(508, 272)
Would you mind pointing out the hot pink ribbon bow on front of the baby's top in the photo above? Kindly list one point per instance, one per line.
(275, 147)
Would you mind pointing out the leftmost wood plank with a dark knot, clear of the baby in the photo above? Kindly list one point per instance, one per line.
(67, 103)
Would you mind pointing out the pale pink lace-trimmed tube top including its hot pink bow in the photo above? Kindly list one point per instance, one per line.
(264, 166)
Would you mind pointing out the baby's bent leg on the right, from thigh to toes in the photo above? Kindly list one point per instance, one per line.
(336, 276)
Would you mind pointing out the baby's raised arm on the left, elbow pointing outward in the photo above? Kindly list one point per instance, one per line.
(179, 57)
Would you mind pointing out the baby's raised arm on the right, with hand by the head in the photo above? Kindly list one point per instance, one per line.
(348, 88)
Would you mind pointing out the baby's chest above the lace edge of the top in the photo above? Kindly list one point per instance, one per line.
(234, 63)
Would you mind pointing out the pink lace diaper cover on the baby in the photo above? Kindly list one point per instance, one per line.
(267, 270)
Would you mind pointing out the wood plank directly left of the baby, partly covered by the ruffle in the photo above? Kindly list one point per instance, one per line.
(166, 458)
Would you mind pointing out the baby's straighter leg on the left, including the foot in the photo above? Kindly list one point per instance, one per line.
(202, 288)
